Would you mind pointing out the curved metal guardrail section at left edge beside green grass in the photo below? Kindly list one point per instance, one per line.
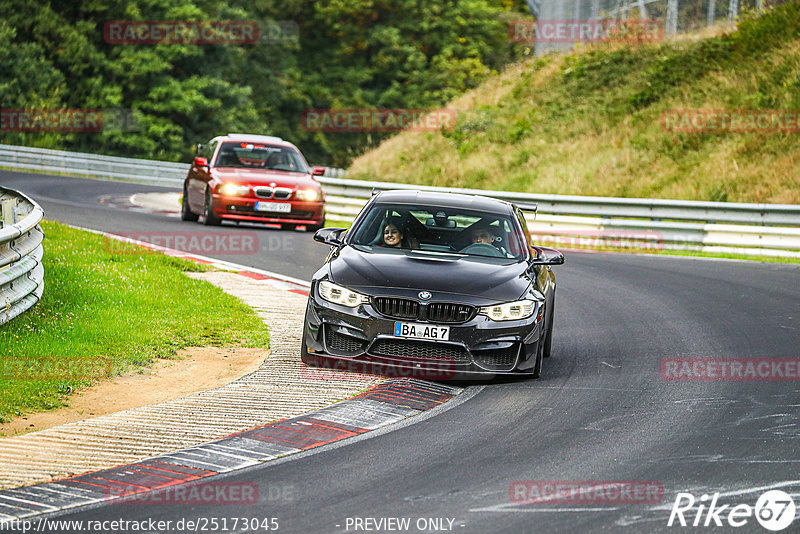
(21, 271)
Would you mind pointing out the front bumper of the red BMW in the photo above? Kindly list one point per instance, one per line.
(243, 209)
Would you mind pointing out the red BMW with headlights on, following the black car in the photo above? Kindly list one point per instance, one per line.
(255, 178)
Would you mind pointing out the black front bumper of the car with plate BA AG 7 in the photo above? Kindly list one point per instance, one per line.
(362, 340)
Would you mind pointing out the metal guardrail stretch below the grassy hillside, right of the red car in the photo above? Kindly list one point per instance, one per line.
(621, 223)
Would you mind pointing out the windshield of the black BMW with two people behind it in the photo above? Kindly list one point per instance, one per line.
(440, 230)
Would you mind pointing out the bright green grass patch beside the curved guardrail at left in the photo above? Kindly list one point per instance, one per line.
(109, 308)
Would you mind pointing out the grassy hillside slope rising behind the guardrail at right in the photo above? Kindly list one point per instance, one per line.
(591, 123)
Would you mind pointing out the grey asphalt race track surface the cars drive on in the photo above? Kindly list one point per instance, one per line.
(600, 412)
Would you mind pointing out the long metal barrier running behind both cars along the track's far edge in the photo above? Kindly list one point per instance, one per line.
(563, 220)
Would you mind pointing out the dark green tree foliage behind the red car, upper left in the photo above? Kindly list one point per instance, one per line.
(348, 54)
